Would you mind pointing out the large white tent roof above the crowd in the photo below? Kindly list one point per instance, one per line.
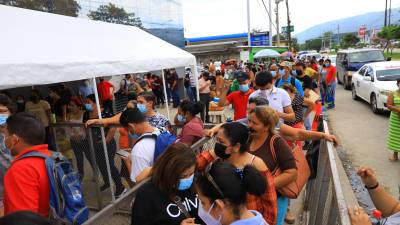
(43, 48)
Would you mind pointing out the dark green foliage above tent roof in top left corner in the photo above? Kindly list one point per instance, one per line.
(62, 7)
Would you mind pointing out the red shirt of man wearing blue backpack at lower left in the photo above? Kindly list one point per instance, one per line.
(26, 184)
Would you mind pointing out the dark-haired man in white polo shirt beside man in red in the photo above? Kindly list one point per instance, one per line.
(278, 98)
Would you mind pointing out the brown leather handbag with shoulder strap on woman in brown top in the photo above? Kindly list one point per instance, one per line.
(293, 189)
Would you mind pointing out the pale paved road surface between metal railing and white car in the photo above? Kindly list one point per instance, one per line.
(363, 136)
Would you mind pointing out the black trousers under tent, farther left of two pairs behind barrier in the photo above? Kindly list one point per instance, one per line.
(81, 149)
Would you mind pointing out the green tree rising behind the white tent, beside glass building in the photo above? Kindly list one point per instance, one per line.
(113, 14)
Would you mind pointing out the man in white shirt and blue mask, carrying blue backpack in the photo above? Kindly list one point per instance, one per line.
(142, 155)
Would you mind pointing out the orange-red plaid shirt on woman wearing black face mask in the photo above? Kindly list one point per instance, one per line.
(266, 204)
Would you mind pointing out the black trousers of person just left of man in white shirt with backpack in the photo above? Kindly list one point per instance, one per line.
(102, 164)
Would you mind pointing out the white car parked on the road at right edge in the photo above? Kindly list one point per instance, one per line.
(373, 82)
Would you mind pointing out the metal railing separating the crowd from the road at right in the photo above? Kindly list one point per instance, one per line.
(330, 193)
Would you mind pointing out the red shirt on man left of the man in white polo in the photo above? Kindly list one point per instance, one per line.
(239, 101)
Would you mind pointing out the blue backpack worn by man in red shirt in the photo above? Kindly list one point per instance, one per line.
(67, 205)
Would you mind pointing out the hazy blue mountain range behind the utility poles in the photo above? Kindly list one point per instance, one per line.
(373, 20)
